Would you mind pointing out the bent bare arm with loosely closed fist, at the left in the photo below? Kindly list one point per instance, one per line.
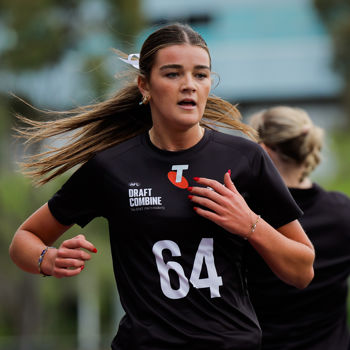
(41, 230)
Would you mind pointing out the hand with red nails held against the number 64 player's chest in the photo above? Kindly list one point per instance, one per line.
(226, 207)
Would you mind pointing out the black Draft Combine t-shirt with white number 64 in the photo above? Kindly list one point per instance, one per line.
(181, 278)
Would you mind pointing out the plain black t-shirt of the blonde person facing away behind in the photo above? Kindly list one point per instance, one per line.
(313, 318)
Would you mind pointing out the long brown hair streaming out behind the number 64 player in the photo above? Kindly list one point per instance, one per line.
(98, 126)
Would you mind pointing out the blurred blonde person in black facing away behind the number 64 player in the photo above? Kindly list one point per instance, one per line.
(314, 318)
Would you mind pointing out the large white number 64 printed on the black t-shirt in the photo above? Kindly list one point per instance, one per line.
(204, 255)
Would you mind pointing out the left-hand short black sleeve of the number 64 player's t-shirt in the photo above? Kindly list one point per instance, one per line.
(79, 199)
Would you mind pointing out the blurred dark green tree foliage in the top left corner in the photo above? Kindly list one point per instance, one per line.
(40, 32)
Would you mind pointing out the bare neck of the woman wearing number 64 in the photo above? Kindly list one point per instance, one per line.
(176, 141)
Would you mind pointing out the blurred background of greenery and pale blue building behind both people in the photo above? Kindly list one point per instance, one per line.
(57, 55)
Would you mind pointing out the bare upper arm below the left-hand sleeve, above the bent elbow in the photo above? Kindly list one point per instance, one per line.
(44, 225)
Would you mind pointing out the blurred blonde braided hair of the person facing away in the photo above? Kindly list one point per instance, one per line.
(291, 133)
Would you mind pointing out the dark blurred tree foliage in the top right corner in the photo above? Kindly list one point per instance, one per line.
(336, 16)
